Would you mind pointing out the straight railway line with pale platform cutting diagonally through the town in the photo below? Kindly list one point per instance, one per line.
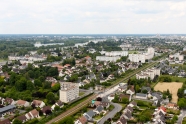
(106, 92)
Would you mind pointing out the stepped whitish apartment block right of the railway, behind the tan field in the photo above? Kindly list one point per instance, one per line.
(149, 73)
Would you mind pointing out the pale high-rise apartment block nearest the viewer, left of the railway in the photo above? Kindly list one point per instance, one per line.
(68, 92)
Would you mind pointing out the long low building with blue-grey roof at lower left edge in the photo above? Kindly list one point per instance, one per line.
(7, 110)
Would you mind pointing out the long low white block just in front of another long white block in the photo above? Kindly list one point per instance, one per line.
(107, 58)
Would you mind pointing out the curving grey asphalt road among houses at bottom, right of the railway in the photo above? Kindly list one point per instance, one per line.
(111, 114)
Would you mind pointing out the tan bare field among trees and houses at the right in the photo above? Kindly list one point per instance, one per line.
(172, 86)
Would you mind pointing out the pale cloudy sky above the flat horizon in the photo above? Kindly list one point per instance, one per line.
(93, 17)
